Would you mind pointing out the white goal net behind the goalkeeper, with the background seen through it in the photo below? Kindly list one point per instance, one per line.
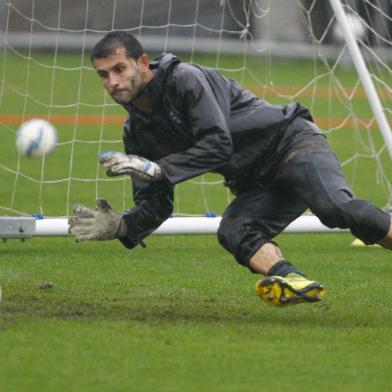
(283, 51)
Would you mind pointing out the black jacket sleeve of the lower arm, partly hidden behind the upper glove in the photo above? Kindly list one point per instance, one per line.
(153, 203)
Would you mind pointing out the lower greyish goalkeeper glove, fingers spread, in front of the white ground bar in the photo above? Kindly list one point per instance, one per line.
(101, 223)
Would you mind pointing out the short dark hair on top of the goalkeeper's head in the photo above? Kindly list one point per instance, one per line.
(115, 39)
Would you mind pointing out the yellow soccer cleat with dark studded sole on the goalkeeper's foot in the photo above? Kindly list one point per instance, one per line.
(280, 291)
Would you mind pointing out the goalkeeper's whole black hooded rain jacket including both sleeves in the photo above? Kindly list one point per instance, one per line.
(202, 122)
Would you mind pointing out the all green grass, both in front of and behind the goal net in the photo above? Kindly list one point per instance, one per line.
(181, 314)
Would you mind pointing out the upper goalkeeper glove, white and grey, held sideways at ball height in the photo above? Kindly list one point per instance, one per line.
(117, 163)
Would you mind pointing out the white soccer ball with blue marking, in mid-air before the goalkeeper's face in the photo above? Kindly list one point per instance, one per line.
(36, 137)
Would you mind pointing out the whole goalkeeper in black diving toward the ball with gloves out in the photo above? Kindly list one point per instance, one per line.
(185, 120)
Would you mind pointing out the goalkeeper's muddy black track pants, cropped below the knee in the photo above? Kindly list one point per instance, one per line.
(309, 176)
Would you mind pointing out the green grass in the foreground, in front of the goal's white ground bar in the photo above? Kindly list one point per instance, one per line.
(182, 315)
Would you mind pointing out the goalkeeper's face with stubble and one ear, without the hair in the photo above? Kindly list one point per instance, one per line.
(122, 77)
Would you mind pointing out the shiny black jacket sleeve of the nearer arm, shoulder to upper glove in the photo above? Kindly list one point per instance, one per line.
(207, 123)
